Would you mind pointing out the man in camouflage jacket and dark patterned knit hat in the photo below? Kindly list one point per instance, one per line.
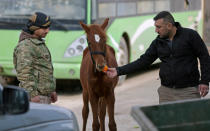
(32, 60)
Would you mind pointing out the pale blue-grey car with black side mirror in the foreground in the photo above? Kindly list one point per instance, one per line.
(17, 114)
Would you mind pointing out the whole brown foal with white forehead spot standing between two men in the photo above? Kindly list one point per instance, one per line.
(97, 87)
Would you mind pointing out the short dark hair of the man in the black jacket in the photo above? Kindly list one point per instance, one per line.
(166, 16)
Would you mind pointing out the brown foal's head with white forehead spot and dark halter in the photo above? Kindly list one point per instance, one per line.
(96, 38)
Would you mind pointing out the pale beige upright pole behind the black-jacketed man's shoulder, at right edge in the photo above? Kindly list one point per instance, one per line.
(206, 22)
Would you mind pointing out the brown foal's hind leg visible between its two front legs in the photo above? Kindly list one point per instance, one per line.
(102, 113)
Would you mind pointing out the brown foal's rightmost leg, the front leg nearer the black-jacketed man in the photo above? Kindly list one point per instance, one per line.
(110, 105)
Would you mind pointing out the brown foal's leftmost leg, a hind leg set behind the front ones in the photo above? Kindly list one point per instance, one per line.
(85, 109)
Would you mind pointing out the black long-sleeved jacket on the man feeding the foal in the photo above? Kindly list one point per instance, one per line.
(179, 64)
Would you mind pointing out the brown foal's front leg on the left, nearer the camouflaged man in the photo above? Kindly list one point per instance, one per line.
(94, 105)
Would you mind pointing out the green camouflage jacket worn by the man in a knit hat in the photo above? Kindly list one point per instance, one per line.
(32, 61)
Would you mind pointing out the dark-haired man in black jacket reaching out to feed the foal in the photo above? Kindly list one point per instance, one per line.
(178, 49)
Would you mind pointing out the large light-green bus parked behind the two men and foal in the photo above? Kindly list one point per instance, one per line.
(130, 30)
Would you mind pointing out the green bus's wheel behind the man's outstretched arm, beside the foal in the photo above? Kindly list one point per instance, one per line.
(122, 58)
